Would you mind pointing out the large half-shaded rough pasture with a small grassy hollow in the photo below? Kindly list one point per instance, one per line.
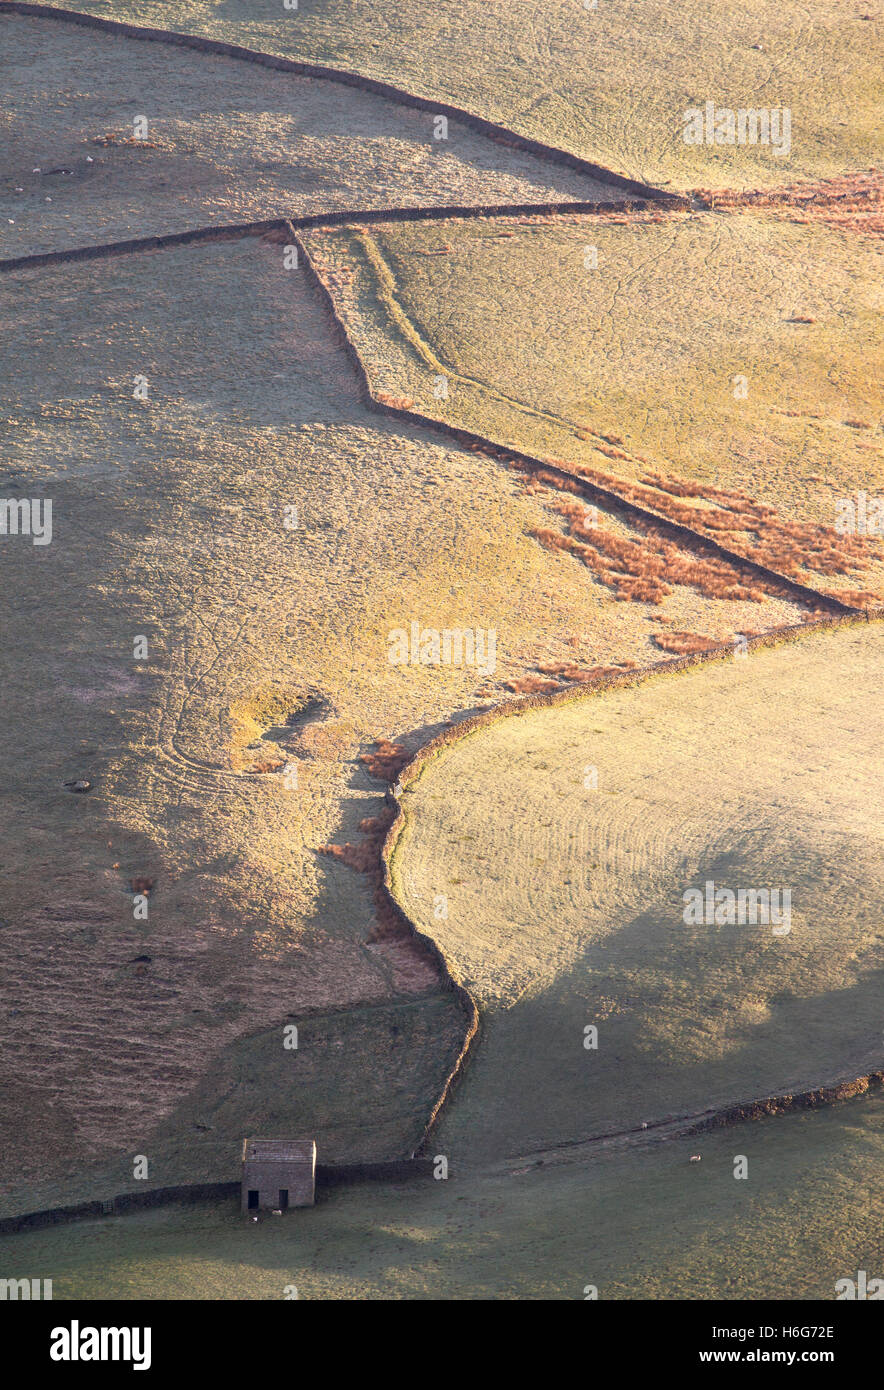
(170, 523)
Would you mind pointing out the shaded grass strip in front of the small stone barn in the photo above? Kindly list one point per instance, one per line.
(792, 1229)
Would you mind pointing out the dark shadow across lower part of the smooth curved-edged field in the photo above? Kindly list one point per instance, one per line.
(689, 1018)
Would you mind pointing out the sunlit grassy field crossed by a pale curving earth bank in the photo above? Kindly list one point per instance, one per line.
(751, 419)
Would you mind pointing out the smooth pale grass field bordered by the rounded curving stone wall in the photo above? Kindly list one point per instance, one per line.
(565, 894)
